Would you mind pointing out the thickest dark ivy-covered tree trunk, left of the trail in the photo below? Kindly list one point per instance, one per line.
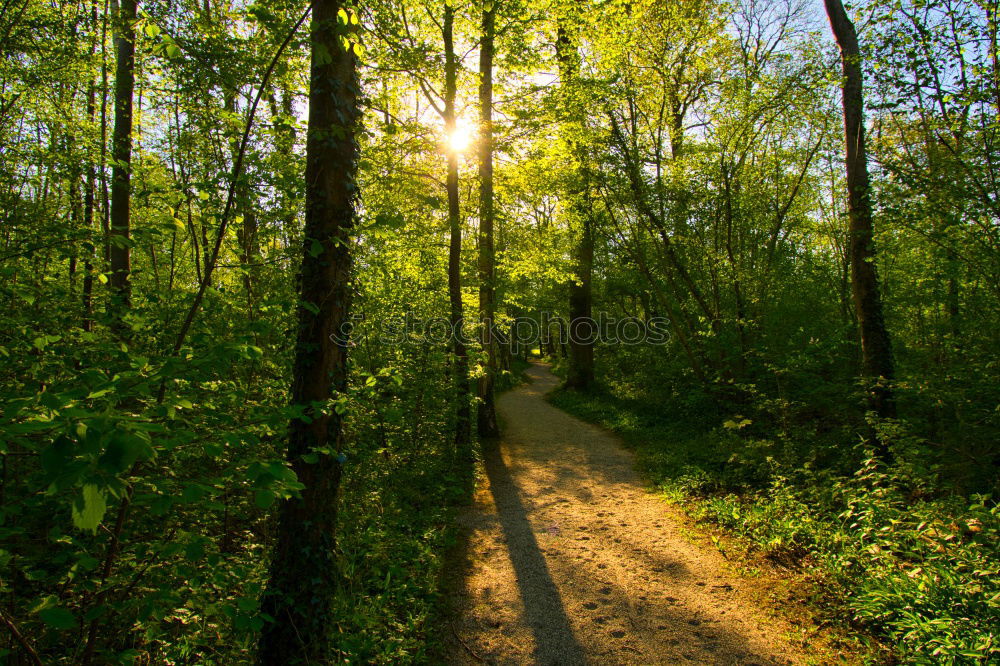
(303, 576)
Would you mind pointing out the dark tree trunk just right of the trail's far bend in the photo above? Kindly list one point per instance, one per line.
(580, 373)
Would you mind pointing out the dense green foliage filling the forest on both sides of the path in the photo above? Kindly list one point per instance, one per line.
(694, 148)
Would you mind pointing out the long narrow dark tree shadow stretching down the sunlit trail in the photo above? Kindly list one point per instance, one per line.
(555, 642)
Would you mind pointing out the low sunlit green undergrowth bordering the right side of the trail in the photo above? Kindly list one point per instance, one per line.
(892, 552)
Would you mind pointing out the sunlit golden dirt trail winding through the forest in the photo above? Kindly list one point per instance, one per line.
(571, 561)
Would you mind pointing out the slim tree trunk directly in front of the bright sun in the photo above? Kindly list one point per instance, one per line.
(463, 419)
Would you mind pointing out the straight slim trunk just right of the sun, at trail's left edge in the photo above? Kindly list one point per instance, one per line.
(486, 416)
